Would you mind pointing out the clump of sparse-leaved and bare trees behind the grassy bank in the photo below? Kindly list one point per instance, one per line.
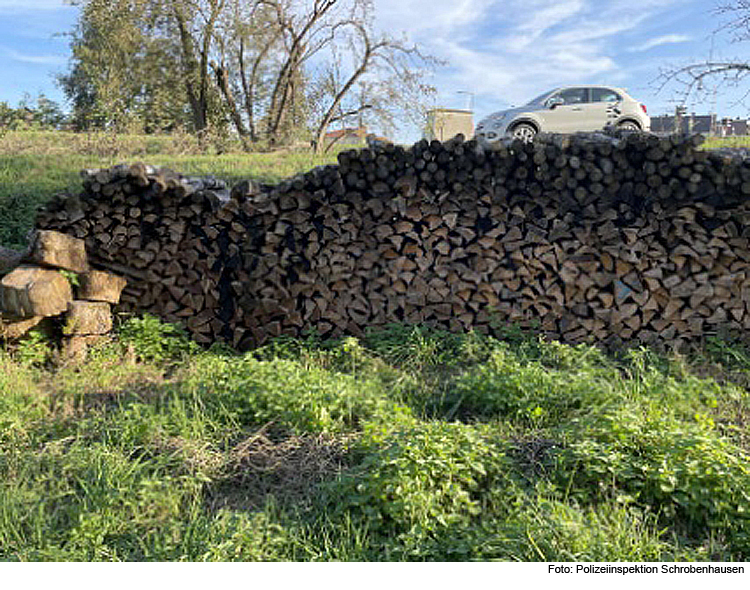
(271, 69)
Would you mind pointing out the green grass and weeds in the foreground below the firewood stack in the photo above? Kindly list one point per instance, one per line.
(409, 444)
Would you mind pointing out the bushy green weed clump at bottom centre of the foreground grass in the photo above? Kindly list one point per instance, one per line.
(422, 482)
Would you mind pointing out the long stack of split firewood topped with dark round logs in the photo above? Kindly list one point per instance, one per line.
(593, 237)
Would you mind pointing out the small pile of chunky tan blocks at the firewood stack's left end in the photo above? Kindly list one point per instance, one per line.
(54, 280)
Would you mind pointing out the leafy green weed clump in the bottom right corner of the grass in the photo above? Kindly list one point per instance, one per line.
(684, 472)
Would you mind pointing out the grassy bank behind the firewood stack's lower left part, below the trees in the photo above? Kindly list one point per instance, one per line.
(35, 166)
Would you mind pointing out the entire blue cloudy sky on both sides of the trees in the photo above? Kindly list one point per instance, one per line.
(499, 53)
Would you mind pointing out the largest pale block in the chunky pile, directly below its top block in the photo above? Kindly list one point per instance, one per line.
(30, 291)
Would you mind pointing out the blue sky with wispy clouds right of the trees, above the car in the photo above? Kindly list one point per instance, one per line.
(507, 52)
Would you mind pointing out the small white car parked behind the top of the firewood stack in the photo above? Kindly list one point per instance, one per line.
(567, 110)
